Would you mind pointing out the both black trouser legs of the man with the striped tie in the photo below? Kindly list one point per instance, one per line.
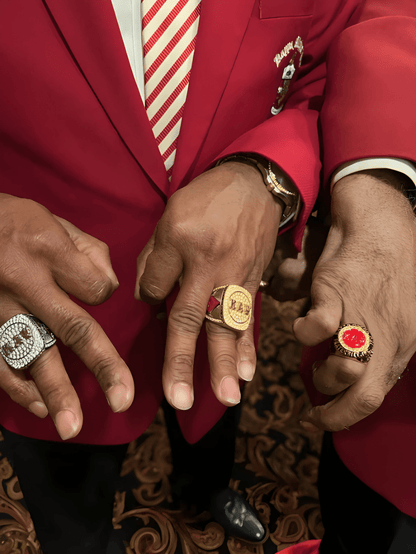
(69, 488)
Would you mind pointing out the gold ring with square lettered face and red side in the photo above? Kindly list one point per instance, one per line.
(230, 306)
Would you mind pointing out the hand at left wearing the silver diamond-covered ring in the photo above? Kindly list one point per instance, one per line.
(43, 259)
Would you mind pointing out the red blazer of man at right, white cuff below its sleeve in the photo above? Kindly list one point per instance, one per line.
(370, 111)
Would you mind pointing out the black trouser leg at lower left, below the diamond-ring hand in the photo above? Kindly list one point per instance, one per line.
(69, 491)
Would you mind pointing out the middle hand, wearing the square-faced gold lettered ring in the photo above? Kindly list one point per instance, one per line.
(220, 229)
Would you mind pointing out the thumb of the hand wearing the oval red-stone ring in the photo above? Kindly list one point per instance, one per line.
(323, 318)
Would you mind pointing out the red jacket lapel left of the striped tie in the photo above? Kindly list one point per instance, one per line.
(90, 29)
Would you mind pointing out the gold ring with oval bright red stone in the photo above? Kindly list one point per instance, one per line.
(354, 341)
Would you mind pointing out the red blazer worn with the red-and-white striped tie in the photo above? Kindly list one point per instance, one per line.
(75, 138)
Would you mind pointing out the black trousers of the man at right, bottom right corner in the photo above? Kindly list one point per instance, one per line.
(357, 520)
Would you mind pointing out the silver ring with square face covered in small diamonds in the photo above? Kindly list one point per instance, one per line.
(23, 338)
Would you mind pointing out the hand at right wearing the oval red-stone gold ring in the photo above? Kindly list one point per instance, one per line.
(365, 276)
